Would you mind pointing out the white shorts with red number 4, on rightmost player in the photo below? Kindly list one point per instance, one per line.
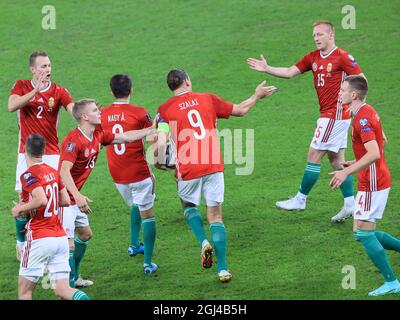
(371, 205)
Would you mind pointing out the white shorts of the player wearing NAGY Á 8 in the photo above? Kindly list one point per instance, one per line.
(140, 193)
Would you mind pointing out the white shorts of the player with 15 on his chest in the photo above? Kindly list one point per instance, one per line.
(330, 135)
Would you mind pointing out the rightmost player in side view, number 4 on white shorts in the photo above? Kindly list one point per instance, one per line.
(373, 181)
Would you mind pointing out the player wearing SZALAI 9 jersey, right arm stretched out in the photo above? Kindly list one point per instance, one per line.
(190, 118)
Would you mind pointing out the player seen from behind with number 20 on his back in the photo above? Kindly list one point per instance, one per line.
(46, 242)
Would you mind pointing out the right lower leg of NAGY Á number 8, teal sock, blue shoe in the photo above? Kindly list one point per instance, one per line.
(149, 237)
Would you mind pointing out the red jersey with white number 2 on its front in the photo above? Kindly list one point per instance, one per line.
(41, 113)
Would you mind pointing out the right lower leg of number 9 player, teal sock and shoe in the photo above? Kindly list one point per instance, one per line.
(218, 238)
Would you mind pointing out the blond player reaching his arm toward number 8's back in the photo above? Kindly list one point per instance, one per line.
(79, 152)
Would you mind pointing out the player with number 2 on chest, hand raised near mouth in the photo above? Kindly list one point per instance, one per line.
(38, 102)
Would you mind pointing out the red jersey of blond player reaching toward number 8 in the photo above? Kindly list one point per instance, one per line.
(82, 151)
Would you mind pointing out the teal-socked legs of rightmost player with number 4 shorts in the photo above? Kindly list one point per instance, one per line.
(364, 232)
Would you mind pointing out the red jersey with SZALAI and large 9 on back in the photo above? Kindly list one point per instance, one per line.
(192, 119)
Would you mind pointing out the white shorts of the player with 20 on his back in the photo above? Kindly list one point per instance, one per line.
(50, 252)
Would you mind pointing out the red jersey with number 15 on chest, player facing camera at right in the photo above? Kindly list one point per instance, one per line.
(329, 73)
